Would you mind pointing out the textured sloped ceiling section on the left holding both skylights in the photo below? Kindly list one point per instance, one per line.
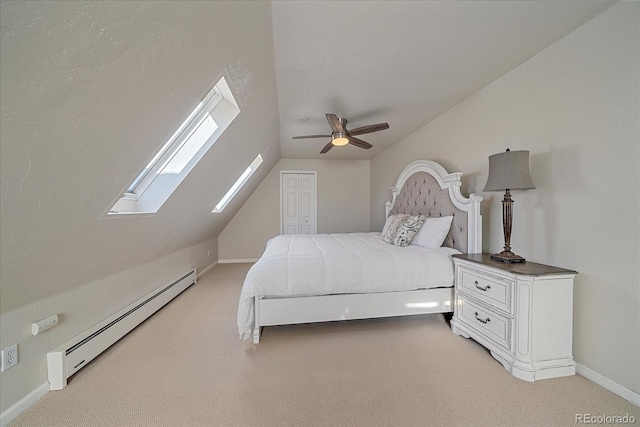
(90, 91)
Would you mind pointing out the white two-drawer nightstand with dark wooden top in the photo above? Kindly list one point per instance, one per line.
(522, 313)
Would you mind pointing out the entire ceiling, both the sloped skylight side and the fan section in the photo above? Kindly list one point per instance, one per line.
(90, 91)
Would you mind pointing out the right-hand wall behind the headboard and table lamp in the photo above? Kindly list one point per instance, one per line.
(576, 107)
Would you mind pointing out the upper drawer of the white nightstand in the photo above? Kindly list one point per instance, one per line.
(496, 292)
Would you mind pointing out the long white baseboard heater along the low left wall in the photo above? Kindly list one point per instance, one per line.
(73, 355)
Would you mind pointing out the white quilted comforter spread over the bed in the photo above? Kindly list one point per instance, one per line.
(322, 264)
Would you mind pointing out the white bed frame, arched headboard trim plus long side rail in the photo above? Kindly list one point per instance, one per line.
(271, 311)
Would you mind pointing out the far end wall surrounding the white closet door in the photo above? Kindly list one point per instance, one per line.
(343, 206)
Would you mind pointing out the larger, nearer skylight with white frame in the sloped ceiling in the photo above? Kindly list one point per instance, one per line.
(179, 155)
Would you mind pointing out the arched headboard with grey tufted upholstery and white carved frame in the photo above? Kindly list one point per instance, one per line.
(425, 188)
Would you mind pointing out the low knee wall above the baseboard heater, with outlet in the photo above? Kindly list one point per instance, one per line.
(80, 308)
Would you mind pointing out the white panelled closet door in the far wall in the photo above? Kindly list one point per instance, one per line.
(299, 204)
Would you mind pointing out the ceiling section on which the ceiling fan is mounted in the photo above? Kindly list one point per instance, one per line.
(400, 62)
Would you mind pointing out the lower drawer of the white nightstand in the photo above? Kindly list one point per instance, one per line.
(495, 326)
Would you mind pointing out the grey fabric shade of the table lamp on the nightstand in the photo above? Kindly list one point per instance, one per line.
(509, 171)
